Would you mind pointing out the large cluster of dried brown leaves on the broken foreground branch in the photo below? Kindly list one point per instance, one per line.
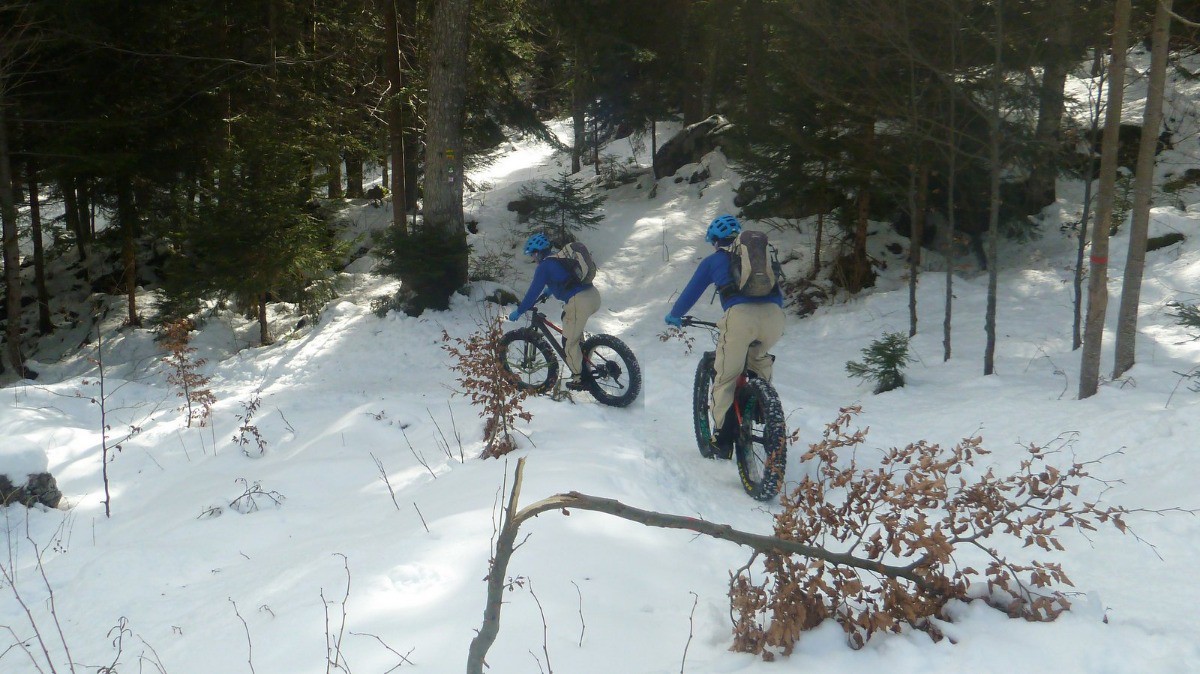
(897, 531)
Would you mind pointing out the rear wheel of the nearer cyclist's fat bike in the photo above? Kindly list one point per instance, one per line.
(761, 446)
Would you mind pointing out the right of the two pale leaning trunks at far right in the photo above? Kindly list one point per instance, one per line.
(1143, 188)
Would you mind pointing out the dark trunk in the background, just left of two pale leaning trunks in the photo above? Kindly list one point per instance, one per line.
(1041, 189)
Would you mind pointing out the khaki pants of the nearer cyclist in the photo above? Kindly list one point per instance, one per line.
(743, 324)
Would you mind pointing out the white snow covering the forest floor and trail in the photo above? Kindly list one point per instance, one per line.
(376, 516)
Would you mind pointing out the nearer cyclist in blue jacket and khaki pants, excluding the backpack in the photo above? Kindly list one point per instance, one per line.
(746, 321)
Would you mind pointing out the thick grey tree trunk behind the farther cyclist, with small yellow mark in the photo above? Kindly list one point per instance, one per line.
(445, 231)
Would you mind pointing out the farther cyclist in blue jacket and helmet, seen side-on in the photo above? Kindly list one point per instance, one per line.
(581, 302)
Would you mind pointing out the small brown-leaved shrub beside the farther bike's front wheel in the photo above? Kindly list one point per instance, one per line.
(489, 386)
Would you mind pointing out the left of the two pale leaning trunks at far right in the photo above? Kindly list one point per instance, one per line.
(1099, 280)
